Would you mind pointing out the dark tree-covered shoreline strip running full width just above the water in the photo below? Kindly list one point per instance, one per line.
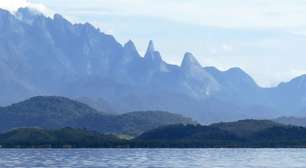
(172, 136)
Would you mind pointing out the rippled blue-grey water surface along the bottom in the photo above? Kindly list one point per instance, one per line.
(154, 158)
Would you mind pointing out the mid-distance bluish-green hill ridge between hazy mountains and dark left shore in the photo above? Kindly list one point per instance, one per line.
(59, 112)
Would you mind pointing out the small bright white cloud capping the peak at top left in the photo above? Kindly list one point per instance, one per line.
(13, 5)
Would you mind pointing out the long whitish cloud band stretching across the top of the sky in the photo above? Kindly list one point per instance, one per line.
(219, 13)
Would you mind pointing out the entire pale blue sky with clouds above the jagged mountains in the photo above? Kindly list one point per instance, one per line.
(266, 38)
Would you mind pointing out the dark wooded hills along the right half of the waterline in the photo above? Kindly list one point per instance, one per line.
(246, 133)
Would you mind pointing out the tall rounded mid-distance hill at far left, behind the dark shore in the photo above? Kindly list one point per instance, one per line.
(44, 112)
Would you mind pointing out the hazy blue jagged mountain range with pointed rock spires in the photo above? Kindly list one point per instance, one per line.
(51, 56)
